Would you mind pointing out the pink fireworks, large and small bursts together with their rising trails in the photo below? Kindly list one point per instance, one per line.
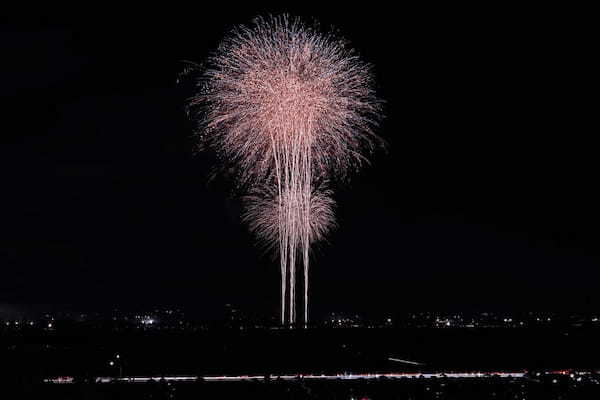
(286, 107)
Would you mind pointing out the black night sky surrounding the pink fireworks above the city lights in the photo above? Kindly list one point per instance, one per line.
(485, 199)
